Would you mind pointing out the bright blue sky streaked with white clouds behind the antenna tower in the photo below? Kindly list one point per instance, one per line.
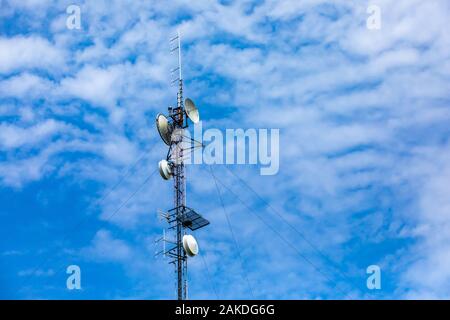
(364, 147)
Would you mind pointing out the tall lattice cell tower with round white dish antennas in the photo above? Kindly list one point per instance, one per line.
(180, 218)
